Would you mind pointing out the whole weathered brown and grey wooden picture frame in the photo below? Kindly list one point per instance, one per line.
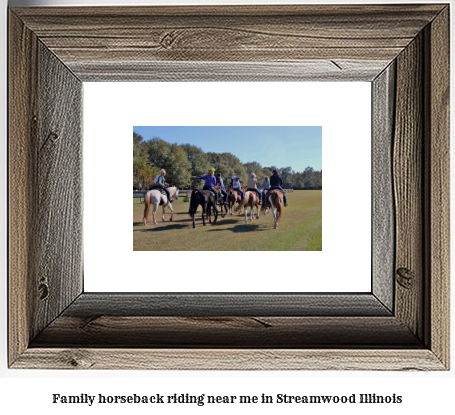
(403, 50)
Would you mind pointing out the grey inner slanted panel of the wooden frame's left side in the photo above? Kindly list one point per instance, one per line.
(57, 226)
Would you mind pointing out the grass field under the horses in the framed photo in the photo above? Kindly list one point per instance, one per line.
(300, 228)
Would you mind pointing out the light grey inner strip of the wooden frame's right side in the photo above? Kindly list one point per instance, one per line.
(383, 214)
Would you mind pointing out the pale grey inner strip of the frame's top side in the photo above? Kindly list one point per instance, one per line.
(308, 71)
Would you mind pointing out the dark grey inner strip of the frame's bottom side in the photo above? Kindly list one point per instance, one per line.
(212, 305)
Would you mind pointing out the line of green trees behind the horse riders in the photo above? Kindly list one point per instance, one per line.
(181, 161)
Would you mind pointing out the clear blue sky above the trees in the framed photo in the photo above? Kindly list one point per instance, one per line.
(298, 147)
